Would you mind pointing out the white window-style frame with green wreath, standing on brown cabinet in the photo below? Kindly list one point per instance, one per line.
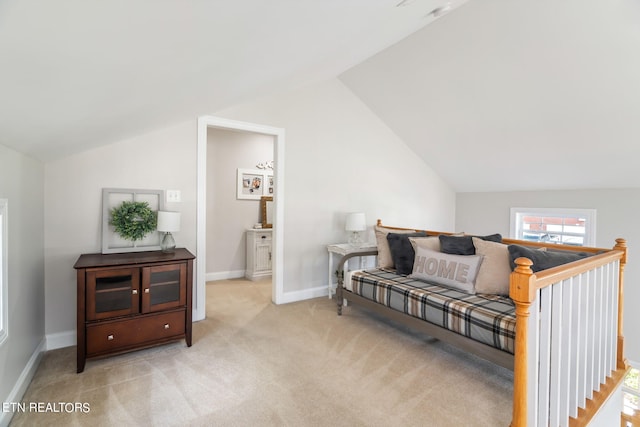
(129, 220)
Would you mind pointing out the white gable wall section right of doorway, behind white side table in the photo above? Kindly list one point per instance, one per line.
(339, 158)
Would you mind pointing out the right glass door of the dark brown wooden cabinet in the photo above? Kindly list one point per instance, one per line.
(161, 287)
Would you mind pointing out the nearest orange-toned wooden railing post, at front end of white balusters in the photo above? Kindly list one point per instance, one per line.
(522, 292)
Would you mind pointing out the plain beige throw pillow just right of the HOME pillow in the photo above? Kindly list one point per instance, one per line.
(495, 271)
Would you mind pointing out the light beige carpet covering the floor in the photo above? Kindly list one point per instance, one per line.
(253, 363)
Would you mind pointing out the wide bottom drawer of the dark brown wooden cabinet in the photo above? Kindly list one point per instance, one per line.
(111, 336)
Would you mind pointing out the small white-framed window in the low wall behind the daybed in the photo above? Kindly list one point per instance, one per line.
(563, 226)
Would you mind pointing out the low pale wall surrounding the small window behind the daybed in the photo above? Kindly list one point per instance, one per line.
(617, 212)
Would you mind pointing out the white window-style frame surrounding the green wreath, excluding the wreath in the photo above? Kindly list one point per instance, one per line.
(113, 197)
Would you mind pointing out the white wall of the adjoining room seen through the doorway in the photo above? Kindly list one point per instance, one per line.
(228, 217)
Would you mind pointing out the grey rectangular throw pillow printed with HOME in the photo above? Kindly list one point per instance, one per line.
(454, 271)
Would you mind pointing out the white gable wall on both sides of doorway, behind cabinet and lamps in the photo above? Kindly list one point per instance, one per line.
(339, 158)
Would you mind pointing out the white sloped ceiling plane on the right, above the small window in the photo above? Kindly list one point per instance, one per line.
(517, 95)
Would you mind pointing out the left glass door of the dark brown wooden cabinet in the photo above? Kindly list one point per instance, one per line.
(112, 293)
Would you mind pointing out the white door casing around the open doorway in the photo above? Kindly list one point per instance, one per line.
(204, 124)
